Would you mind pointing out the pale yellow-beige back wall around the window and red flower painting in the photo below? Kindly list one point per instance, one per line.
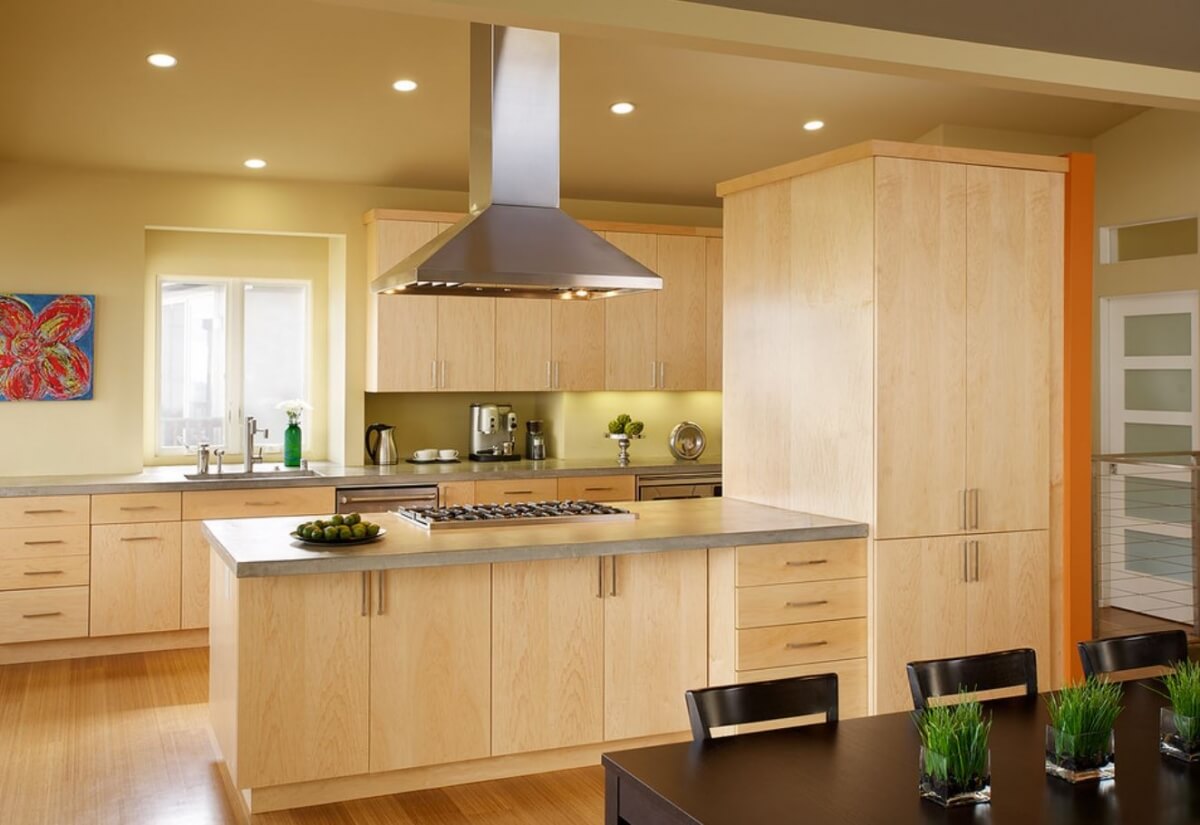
(77, 231)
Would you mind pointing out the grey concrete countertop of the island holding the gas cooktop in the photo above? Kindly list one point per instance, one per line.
(262, 547)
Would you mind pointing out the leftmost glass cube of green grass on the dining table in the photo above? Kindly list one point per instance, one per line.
(956, 763)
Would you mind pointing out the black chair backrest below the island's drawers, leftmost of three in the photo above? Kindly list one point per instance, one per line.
(761, 702)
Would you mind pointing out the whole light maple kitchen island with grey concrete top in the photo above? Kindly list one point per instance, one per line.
(447, 657)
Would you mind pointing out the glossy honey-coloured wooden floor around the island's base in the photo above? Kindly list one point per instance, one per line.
(123, 740)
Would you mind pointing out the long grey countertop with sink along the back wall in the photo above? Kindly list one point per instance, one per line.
(171, 479)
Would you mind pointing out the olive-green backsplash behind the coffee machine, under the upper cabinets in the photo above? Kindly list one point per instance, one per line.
(575, 421)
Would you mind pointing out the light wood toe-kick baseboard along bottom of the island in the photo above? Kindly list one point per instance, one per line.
(323, 792)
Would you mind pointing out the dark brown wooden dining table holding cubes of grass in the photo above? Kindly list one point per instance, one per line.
(865, 772)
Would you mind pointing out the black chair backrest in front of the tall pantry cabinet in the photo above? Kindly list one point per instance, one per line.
(987, 672)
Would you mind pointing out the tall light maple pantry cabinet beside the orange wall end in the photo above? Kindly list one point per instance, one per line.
(916, 292)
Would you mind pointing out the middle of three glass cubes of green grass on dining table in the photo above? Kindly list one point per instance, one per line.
(1081, 745)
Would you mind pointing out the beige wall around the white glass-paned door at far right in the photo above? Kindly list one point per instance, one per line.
(1147, 170)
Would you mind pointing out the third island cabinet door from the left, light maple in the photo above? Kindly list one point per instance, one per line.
(548, 655)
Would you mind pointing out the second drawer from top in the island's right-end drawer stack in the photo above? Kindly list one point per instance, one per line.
(803, 603)
